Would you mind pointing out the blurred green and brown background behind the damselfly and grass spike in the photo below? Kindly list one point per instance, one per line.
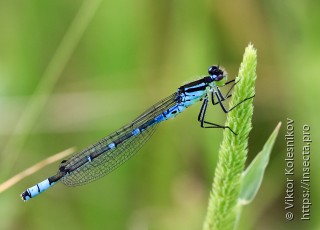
(130, 55)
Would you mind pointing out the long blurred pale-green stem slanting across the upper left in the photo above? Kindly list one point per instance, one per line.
(45, 87)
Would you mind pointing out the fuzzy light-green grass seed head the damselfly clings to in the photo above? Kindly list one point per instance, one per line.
(221, 213)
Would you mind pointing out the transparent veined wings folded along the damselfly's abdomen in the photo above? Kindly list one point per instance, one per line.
(113, 158)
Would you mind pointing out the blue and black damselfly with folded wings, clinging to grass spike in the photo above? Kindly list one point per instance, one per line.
(109, 153)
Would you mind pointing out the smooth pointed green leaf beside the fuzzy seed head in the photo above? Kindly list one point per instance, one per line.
(253, 175)
